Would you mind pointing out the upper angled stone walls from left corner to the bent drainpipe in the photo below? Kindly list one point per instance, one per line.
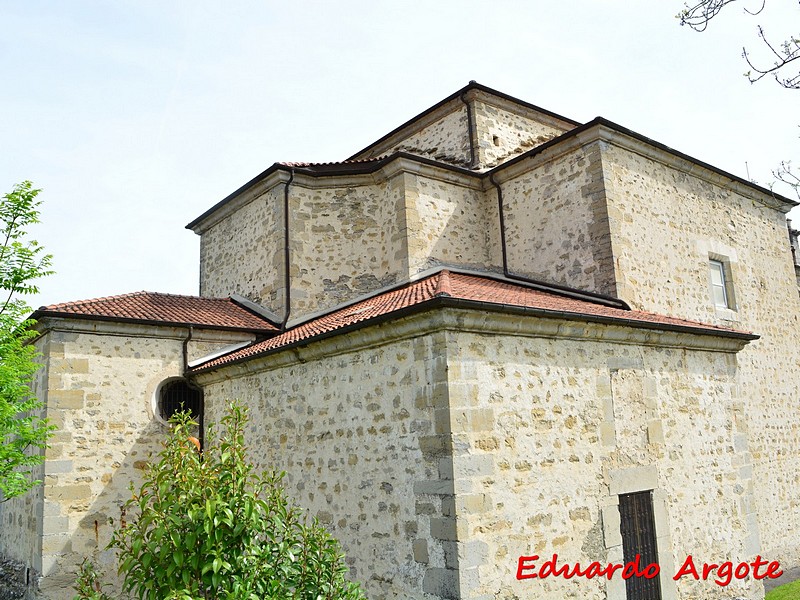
(350, 240)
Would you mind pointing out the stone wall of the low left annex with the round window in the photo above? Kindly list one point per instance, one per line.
(99, 392)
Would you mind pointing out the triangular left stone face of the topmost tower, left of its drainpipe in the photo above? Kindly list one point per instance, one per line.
(446, 139)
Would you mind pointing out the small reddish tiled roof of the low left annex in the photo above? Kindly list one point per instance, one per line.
(167, 309)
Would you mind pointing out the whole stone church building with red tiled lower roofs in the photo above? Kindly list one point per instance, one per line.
(494, 333)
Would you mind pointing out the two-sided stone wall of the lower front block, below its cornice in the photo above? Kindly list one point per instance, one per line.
(438, 459)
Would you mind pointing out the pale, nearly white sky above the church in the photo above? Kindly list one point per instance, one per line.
(136, 116)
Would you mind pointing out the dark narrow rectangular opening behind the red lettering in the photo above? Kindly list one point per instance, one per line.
(638, 529)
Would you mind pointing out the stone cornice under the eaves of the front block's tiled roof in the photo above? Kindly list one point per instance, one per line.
(444, 315)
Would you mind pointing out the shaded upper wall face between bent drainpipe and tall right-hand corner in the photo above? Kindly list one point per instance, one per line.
(557, 223)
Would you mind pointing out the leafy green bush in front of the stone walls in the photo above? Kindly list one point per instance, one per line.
(206, 526)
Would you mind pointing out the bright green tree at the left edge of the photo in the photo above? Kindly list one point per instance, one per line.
(22, 261)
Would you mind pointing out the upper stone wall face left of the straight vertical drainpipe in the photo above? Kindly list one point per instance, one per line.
(242, 254)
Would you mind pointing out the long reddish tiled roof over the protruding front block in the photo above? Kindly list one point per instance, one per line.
(470, 288)
